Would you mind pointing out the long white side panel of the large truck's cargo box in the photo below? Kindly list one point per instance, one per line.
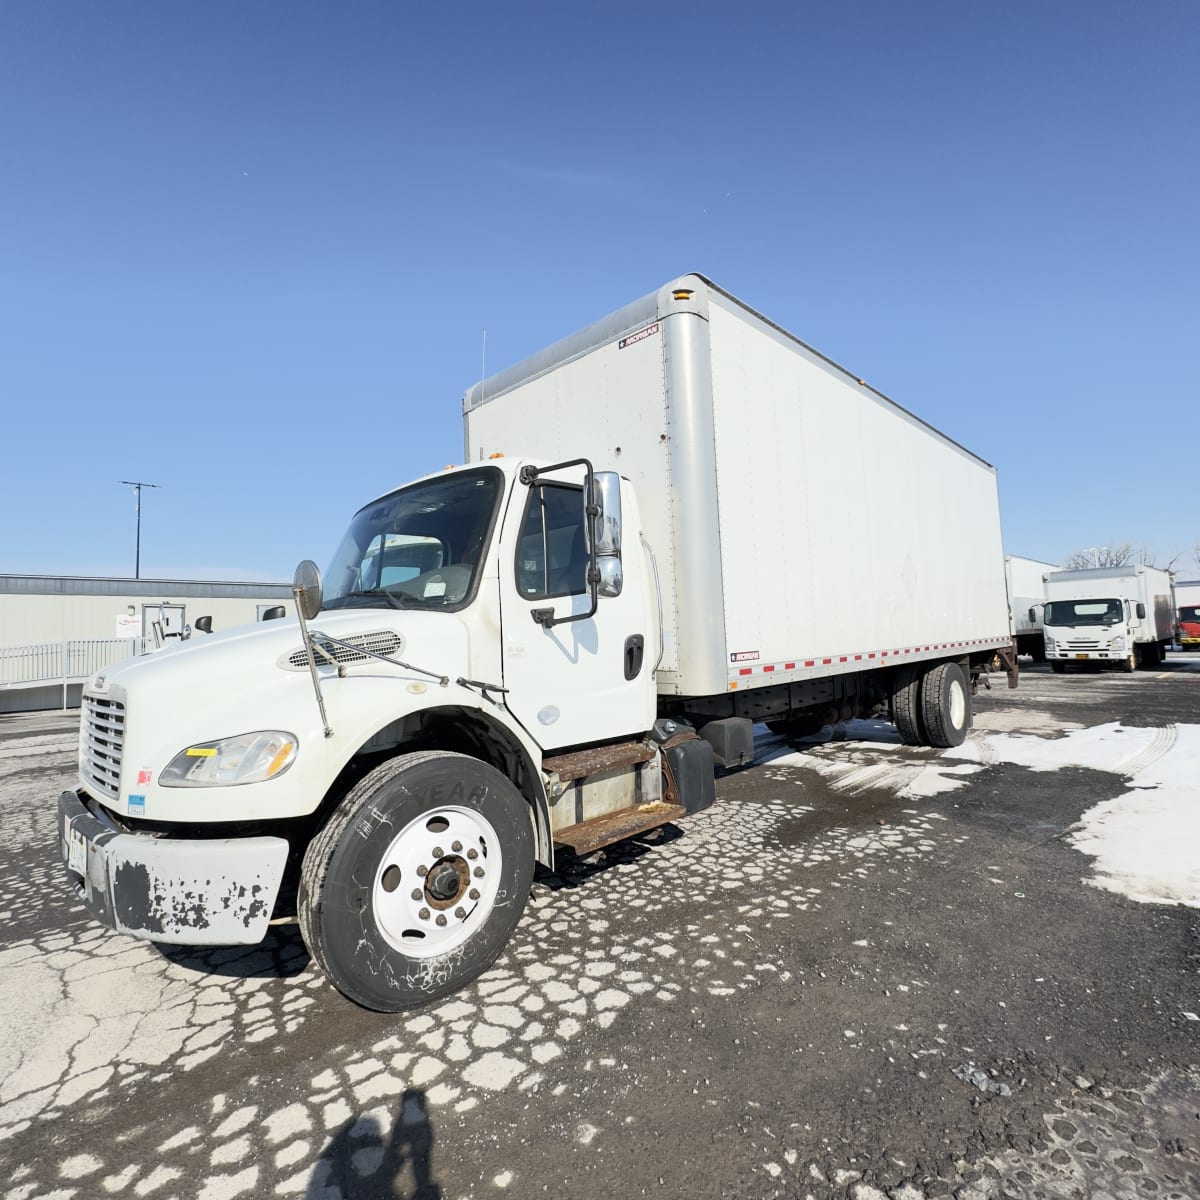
(847, 526)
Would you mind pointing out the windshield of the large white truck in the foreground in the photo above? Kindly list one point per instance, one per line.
(421, 548)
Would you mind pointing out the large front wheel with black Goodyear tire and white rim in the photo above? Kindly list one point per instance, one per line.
(416, 884)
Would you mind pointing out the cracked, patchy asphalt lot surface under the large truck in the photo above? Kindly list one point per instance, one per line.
(867, 971)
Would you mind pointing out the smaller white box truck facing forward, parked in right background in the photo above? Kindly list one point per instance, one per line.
(1121, 616)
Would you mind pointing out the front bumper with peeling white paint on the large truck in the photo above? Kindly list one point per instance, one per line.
(181, 891)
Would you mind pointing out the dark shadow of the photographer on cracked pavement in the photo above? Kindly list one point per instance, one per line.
(365, 1162)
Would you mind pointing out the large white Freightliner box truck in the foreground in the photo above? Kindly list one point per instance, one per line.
(670, 526)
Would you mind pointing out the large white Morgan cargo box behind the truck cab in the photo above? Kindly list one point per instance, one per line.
(803, 525)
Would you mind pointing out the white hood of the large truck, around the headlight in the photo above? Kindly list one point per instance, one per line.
(257, 679)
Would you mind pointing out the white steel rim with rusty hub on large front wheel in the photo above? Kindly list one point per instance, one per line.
(437, 881)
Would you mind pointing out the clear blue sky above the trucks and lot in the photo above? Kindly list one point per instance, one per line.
(249, 253)
